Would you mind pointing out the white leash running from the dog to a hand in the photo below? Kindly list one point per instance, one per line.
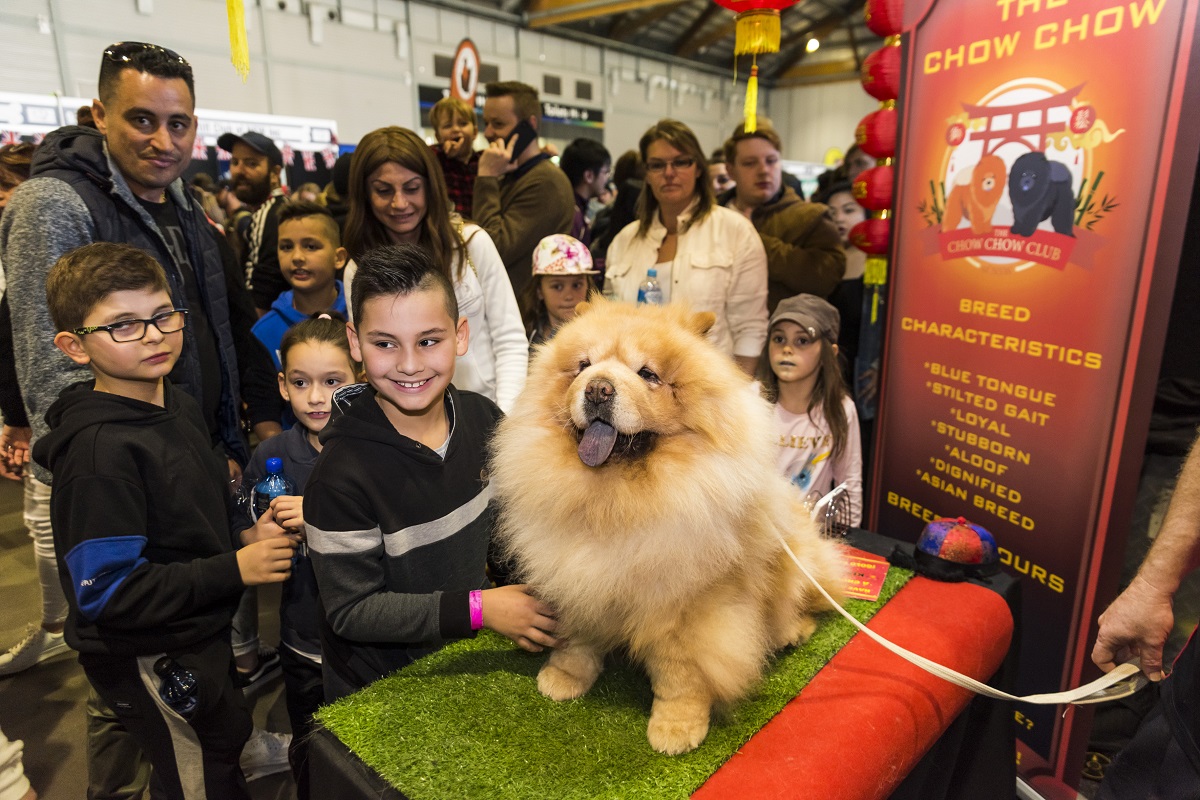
(1120, 683)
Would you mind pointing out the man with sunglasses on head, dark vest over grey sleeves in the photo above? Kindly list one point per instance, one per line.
(122, 184)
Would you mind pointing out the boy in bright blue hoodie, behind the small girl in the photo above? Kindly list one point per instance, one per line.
(311, 254)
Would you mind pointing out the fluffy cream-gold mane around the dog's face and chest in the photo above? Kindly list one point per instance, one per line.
(656, 527)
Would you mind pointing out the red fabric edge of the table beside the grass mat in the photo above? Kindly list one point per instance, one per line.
(868, 717)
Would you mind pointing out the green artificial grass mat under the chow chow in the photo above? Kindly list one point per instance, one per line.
(467, 721)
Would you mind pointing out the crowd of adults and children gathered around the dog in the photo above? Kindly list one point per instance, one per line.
(368, 335)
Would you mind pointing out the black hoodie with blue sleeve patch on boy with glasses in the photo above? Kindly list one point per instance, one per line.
(141, 515)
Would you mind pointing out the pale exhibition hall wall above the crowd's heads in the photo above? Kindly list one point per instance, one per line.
(362, 63)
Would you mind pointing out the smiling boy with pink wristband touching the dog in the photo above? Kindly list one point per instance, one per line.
(398, 508)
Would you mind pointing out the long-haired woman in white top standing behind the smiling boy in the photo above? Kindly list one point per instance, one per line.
(398, 194)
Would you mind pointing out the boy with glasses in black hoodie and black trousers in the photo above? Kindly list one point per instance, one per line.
(142, 522)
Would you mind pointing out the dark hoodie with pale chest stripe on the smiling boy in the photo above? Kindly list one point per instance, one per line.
(398, 536)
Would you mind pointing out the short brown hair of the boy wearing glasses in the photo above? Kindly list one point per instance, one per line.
(82, 279)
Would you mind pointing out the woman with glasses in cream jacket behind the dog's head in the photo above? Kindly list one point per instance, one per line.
(705, 255)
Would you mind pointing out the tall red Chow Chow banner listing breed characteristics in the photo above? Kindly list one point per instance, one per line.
(1037, 147)
